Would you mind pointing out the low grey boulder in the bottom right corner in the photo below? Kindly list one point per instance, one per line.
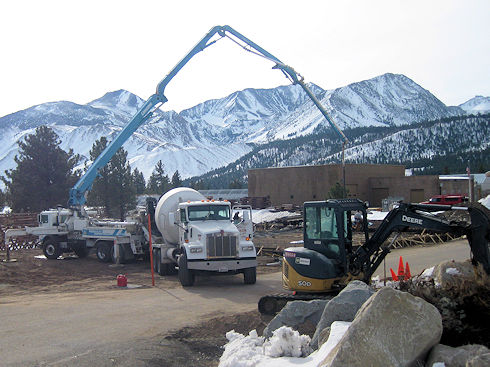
(456, 357)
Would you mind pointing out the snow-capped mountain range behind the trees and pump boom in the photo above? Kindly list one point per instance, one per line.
(217, 132)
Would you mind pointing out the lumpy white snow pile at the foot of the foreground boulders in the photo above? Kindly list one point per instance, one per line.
(284, 349)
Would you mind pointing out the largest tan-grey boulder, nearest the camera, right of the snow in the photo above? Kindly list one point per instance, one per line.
(392, 328)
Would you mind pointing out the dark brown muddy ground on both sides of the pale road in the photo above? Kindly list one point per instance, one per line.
(199, 345)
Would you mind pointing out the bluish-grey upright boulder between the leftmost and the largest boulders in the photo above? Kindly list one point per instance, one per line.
(342, 308)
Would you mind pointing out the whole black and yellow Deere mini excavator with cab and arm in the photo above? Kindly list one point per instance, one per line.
(328, 260)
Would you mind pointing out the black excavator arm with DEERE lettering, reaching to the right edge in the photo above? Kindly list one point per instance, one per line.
(369, 256)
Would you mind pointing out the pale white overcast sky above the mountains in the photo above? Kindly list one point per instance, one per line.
(79, 50)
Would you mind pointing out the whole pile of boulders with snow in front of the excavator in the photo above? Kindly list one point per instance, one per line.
(388, 327)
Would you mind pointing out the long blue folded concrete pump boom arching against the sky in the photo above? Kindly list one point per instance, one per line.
(77, 193)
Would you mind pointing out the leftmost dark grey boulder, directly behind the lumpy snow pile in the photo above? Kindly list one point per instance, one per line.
(299, 315)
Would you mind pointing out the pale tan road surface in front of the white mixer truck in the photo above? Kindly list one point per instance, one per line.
(64, 328)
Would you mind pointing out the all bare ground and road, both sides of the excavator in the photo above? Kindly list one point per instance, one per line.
(70, 312)
